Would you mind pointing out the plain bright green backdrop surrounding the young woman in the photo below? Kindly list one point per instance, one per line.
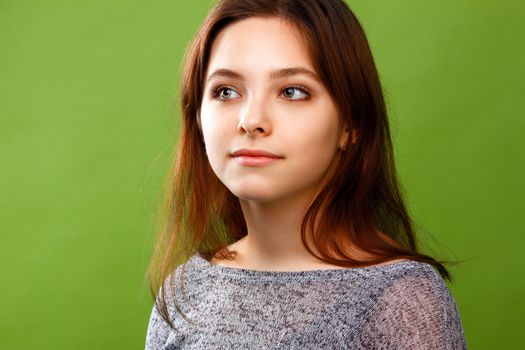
(87, 124)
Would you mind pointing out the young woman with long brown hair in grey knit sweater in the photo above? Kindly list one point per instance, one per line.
(285, 227)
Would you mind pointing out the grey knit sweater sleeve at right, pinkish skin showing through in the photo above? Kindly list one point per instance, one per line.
(415, 312)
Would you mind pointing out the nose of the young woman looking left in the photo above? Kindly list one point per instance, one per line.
(254, 118)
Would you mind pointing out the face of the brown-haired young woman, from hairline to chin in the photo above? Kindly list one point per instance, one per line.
(271, 129)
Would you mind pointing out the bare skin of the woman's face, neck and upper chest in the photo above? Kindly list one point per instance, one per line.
(251, 112)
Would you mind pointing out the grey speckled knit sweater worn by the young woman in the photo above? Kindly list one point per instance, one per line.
(401, 305)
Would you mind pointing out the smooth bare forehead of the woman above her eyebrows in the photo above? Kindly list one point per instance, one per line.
(259, 42)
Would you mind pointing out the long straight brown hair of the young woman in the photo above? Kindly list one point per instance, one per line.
(361, 204)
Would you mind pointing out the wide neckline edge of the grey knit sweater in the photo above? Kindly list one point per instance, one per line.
(324, 273)
